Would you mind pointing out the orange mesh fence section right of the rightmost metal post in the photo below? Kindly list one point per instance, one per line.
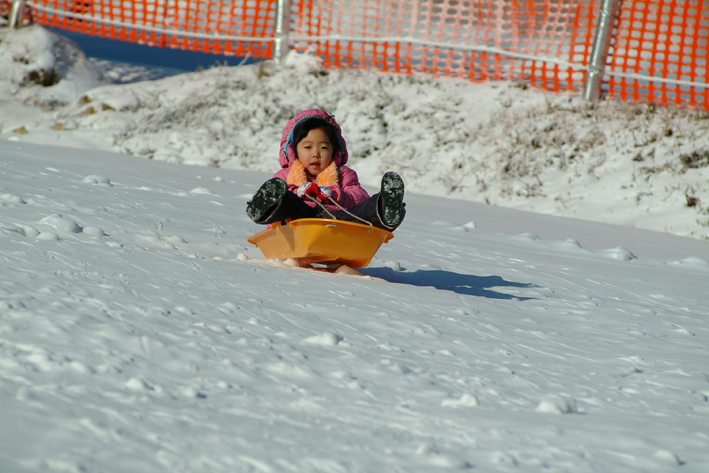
(666, 39)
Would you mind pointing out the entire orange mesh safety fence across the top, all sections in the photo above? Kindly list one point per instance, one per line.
(543, 43)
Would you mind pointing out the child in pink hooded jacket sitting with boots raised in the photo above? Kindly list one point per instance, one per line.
(315, 183)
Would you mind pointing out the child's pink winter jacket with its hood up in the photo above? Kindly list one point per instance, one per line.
(349, 192)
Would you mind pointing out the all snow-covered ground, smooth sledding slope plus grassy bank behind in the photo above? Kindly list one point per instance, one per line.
(139, 332)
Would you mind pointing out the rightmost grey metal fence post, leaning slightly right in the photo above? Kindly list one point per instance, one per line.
(599, 52)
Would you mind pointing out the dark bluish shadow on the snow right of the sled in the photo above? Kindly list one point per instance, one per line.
(464, 284)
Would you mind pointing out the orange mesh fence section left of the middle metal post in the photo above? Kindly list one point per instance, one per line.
(230, 28)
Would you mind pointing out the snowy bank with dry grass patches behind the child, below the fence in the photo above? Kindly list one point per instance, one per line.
(498, 143)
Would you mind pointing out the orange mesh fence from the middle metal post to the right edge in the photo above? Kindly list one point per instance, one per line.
(545, 43)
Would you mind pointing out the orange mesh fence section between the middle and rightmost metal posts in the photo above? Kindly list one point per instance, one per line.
(455, 38)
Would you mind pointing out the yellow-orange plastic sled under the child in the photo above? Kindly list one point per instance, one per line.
(317, 240)
